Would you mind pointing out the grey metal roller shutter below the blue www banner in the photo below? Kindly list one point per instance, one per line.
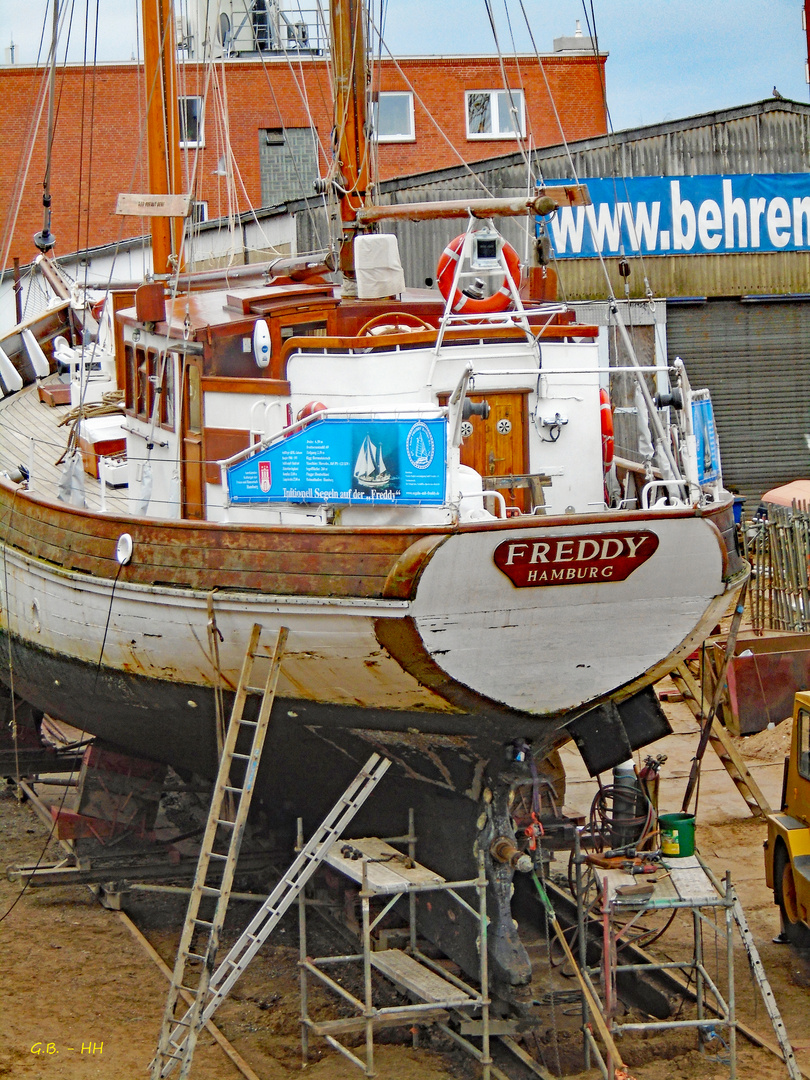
(755, 360)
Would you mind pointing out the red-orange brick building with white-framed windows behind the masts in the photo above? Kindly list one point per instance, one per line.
(431, 113)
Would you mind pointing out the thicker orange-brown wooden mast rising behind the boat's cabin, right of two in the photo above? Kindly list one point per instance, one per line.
(352, 136)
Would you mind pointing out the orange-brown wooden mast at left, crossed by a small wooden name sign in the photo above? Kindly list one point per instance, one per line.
(164, 128)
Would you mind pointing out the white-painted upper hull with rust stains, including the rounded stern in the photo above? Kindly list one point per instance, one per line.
(538, 651)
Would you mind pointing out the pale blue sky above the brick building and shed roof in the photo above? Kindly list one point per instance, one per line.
(668, 59)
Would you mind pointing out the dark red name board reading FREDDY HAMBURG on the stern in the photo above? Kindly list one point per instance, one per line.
(574, 561)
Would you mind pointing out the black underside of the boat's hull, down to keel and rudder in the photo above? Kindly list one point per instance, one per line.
(455, 771)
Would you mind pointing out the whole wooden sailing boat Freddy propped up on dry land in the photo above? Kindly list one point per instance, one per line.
(476, 613)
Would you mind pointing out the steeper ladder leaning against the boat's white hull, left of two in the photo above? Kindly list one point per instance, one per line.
(219, 855)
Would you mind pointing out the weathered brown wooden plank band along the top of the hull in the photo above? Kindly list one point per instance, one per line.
(321, 561)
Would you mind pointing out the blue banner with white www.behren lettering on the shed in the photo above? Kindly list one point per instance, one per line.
(687, 215)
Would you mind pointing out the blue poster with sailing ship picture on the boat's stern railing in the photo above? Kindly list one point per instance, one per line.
(335, 461)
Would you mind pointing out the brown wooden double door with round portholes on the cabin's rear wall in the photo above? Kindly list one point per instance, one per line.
(498, 447)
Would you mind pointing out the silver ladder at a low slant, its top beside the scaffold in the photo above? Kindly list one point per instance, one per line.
(182, 1035)
